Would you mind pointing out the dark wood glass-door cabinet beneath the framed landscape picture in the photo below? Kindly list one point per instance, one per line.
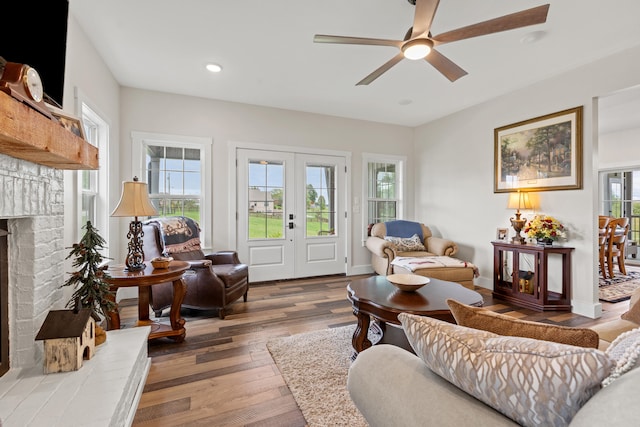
(530, 288)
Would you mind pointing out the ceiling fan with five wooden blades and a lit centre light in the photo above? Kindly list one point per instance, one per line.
(418, 43)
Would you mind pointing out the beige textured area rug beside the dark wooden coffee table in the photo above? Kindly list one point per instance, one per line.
(315, 366)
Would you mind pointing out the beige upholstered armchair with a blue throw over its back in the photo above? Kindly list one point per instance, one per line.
(398, 243)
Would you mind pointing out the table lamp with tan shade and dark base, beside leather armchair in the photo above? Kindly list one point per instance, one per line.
(134, 202)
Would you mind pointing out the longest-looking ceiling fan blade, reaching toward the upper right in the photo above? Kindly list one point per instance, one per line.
(536, 15)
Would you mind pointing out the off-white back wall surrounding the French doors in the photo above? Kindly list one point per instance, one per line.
(234, 123)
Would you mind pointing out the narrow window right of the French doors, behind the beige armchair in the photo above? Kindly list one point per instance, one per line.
(384, 192)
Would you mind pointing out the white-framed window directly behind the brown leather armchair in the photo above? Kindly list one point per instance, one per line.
(176, 170)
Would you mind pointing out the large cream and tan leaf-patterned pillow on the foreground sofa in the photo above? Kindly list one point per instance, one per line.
(533, 382)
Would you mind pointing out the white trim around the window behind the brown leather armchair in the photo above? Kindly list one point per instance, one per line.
(140, 139)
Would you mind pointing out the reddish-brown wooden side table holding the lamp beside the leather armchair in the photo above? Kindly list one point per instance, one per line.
(143, 280)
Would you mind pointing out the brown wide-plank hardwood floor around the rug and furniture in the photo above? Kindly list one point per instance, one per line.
(223, 374)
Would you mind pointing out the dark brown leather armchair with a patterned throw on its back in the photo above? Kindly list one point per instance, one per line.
(214, 281)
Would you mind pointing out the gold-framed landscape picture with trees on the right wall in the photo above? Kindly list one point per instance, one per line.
(544, 153)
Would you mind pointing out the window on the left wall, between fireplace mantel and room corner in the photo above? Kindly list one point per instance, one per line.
(92, 184)
